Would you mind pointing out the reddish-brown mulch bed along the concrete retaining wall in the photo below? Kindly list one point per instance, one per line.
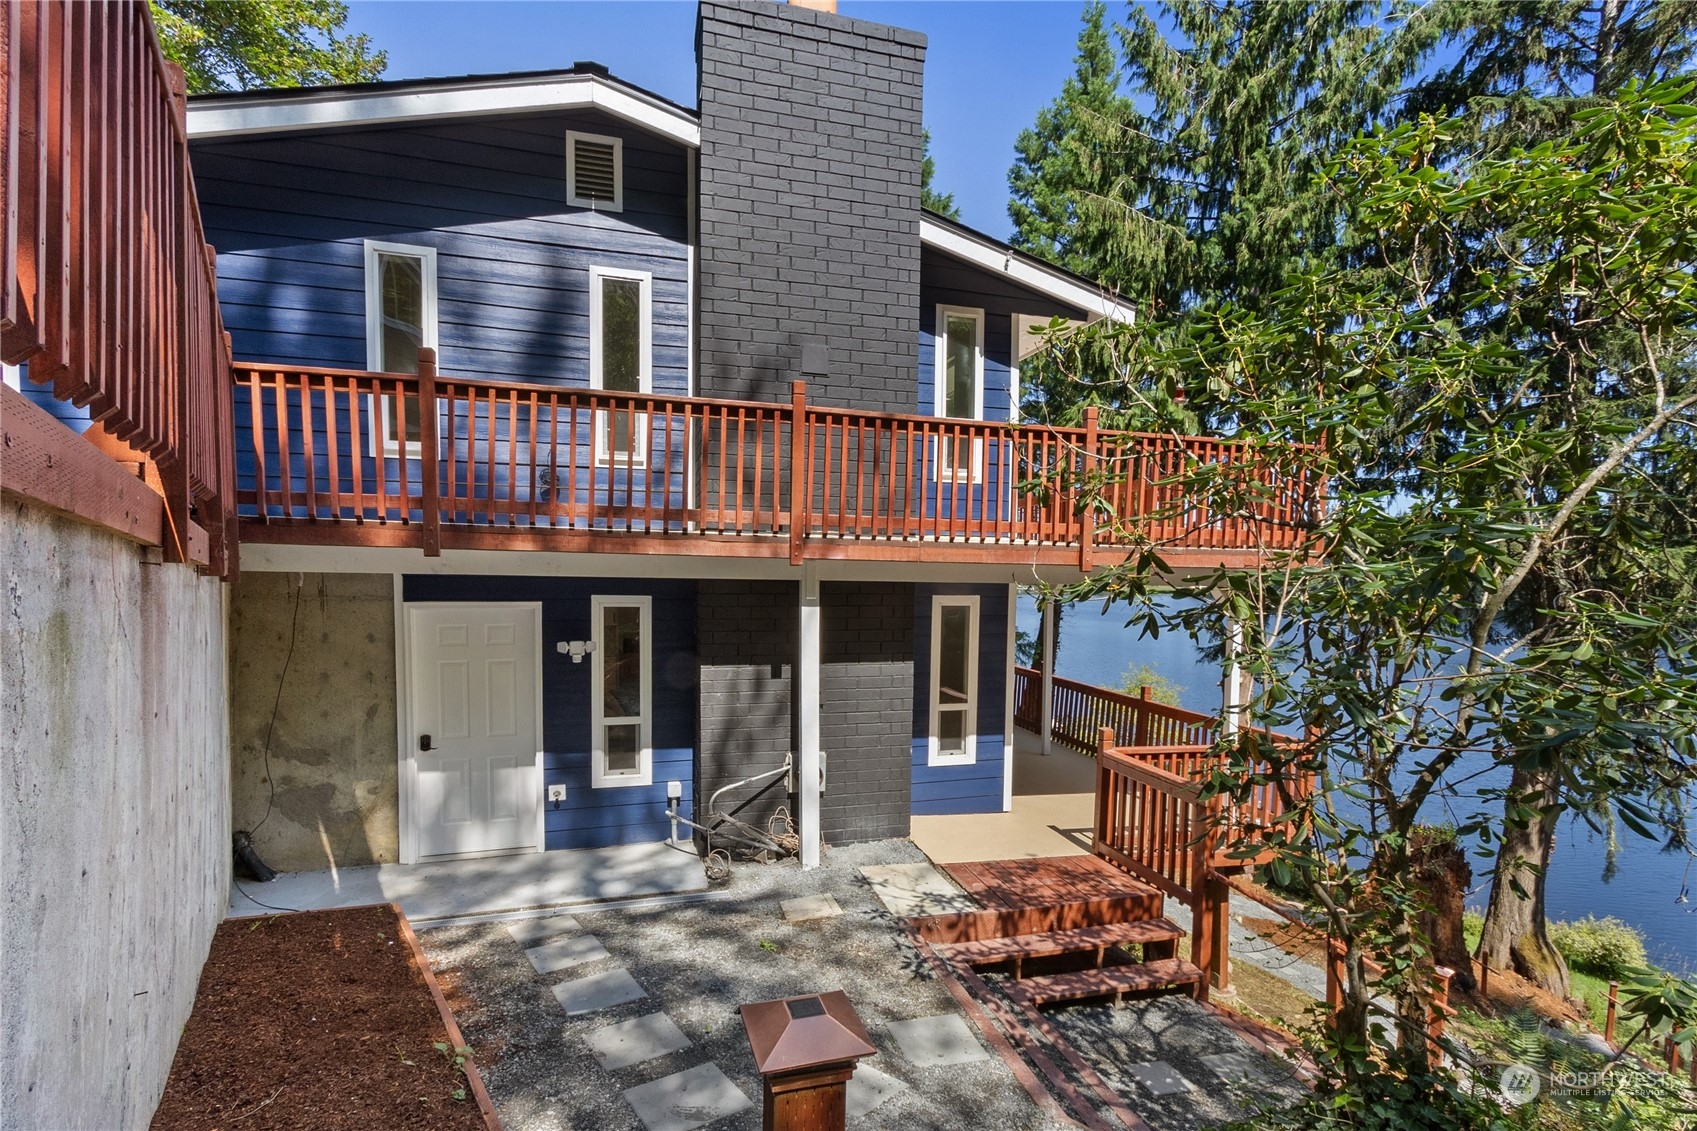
(316, 1020)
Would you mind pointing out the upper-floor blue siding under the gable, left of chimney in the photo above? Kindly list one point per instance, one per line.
(291, 215)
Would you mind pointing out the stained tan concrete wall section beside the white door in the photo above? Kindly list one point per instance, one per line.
(318, 784)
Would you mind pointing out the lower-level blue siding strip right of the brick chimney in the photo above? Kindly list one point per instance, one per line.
(973, 789)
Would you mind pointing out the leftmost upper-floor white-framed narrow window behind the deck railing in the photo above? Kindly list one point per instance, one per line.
(400, 322)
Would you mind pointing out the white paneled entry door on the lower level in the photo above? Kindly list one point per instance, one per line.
(474, 694)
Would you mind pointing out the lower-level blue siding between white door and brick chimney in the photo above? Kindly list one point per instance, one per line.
(600, 818)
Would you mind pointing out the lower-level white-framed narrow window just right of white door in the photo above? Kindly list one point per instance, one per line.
(622, 694)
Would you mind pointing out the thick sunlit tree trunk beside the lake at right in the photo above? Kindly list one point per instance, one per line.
(1515, 926)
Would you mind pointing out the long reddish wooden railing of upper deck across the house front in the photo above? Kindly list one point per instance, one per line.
(800, 480)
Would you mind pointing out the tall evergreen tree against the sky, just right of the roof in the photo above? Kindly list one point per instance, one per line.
(1201, 183)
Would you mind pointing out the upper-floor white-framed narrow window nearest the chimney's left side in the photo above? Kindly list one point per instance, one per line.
(622, 357)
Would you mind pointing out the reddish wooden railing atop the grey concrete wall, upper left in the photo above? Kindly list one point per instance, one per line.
(108, 286)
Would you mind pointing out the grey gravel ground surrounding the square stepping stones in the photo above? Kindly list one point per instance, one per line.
(700, 962)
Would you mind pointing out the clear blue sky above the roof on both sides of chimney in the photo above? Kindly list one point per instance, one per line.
(989, 69)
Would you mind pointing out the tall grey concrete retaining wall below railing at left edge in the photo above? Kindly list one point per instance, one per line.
(115, 818)
